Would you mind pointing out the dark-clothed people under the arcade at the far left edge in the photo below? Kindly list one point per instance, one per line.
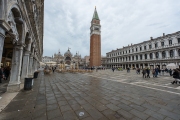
(4, 73)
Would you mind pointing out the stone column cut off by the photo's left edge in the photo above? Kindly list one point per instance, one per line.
(2, 37)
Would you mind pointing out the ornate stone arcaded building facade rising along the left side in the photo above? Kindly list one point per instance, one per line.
(21, 38)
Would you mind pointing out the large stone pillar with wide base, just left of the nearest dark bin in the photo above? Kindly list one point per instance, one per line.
(14, 83)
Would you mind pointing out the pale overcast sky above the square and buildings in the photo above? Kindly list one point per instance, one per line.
(67, 23)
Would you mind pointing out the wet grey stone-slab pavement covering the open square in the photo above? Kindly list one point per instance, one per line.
(101, 95)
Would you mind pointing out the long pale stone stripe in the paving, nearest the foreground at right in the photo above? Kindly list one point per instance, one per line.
(138, 85)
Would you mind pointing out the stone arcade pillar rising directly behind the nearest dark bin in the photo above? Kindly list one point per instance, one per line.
(25, 66)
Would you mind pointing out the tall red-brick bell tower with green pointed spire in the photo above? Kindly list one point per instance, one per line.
(95, 41)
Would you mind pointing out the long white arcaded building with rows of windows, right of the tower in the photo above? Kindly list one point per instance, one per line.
(154, 52)
